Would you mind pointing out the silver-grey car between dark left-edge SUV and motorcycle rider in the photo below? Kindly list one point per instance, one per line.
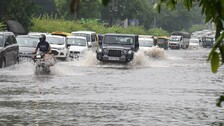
(27, 45)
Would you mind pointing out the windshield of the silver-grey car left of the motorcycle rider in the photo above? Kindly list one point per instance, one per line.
(27, 42)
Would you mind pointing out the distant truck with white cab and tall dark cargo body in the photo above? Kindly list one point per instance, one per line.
(184, 39)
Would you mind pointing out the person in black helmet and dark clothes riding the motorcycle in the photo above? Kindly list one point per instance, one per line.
(43, 45)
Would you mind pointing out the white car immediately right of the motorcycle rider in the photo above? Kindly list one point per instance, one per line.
(59, 46)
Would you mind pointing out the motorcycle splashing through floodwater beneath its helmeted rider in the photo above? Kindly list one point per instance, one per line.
(43, 63)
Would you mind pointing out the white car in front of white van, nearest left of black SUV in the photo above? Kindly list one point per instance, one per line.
(77, 45)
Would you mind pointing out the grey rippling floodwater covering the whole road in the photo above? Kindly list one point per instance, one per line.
(175, 88)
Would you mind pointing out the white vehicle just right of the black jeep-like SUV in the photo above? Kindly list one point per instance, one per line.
(146, 42)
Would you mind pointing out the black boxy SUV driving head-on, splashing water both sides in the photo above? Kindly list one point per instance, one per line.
(118, 48)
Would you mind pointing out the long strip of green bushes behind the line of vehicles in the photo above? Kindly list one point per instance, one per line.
(49, 24)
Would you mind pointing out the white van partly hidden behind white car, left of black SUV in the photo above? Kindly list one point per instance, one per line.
(89, 35)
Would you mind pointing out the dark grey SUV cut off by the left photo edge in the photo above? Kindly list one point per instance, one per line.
(9, 50)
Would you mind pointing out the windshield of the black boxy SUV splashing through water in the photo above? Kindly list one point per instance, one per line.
(123, 40)
